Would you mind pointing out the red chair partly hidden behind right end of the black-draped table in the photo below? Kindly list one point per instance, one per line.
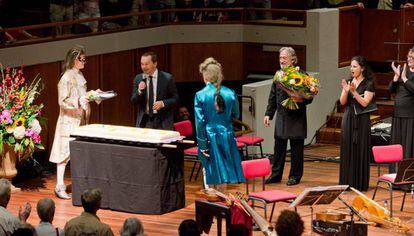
(185, 128)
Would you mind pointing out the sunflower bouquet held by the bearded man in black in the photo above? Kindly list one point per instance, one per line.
(295, 82)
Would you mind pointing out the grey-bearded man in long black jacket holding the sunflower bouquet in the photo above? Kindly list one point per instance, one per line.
(290, 123)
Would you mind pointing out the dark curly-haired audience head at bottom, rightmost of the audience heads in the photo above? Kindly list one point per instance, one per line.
(289, 223)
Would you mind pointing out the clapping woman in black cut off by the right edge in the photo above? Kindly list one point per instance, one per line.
(403, 119)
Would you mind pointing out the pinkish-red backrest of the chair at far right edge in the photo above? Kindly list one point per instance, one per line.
(387, 153)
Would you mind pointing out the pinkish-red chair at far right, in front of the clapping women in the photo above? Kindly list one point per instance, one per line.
(390, 154)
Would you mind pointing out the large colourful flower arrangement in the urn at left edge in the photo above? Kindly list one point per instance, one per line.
(19, 117)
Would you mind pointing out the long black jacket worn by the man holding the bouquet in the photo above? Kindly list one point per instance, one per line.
(290, 124)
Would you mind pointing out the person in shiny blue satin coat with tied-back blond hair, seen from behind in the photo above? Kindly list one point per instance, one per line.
(215, 107)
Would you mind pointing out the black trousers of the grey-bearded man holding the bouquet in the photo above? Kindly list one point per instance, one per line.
(296, 159)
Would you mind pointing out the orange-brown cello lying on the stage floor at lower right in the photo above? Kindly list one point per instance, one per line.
(374, 212)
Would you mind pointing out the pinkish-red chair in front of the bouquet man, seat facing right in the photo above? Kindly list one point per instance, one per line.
(260, 168)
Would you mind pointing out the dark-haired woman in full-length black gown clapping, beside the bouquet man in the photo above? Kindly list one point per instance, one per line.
(358, 91)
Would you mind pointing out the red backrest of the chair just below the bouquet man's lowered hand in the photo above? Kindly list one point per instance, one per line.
(256, 168)
